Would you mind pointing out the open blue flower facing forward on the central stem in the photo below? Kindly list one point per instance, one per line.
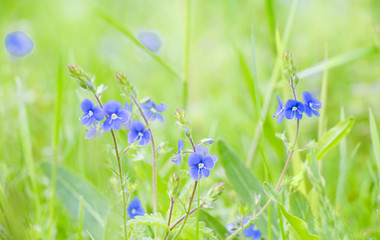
(201, 163)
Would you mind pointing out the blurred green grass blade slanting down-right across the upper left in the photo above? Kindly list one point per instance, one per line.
(126, 32)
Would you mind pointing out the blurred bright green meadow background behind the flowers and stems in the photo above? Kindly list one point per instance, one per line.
(222, 59)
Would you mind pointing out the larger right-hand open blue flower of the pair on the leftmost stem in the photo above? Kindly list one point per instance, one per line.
(116, 115)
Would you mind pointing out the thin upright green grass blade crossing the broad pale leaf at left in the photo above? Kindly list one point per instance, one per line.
(57, 122)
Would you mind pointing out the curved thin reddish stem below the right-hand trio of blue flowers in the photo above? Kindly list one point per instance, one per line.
(278, 185)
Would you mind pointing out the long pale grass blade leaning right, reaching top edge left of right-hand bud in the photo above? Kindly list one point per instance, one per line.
(272, 85)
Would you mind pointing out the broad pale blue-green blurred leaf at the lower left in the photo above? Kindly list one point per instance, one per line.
(70, 188)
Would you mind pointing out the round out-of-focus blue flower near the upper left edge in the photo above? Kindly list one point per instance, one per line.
(18, 44)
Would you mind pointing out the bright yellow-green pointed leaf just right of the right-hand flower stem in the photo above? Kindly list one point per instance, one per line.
(332, 137)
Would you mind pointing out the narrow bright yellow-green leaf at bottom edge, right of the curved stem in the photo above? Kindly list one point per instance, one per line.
(298, 228)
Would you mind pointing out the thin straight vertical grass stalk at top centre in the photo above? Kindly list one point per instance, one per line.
(185, 79)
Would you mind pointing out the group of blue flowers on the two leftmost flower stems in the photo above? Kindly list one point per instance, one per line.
(116, 117)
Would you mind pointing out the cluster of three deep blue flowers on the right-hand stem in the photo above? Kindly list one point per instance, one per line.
(295, 109)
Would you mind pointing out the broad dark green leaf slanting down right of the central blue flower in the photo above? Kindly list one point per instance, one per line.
(245, 184)
